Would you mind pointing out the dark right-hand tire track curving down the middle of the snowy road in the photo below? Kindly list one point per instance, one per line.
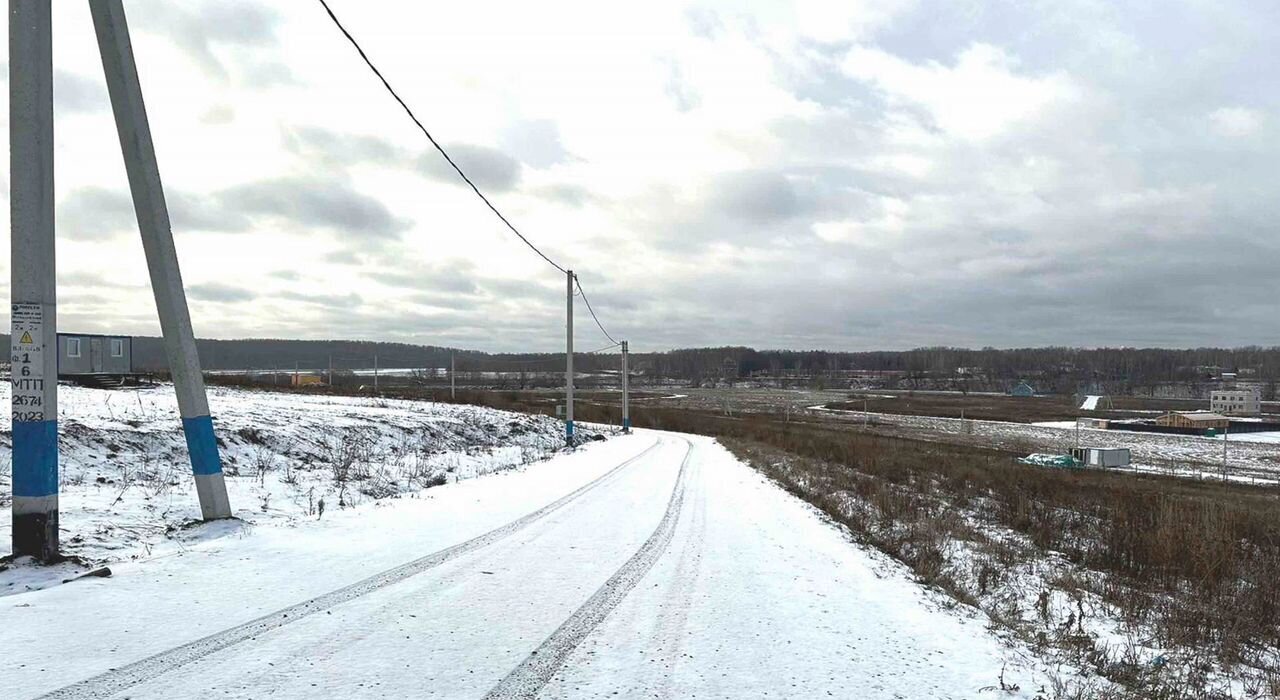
(528, 679)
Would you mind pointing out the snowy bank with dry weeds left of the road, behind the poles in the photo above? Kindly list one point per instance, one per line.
(126, 484)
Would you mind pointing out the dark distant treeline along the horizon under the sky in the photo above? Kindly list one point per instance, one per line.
(1055, 368)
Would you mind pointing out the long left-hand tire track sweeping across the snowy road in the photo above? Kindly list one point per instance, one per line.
(117, 680)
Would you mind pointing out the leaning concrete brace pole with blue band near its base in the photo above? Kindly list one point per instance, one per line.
(149, 204)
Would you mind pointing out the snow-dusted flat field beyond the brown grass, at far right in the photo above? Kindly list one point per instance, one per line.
(1250, 457)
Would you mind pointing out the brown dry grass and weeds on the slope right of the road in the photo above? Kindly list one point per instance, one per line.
(1192, 565)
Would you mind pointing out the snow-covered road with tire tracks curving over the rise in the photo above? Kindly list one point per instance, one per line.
(652, 566)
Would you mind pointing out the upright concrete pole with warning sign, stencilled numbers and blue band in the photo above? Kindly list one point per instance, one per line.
(34, 360)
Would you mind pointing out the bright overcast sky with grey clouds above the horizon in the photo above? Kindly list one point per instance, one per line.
(847, 176)
